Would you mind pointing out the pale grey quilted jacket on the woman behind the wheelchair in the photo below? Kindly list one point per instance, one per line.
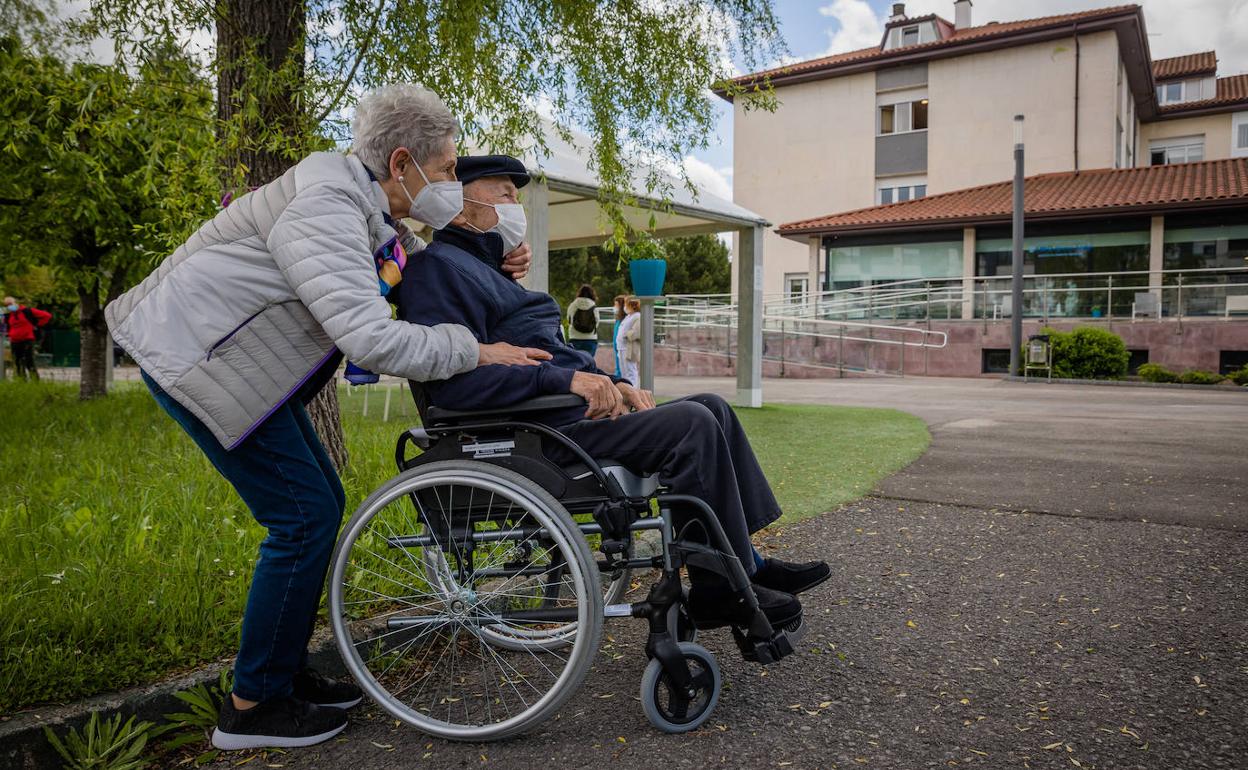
(244, 314)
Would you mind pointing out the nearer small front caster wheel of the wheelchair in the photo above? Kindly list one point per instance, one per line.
(681, 712)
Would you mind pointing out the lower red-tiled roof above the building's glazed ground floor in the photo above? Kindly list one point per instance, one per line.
(1053, 195)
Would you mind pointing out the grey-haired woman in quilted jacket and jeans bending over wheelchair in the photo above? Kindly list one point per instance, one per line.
(249, 320)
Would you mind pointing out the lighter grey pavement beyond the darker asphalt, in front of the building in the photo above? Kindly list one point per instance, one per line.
(1153, 455)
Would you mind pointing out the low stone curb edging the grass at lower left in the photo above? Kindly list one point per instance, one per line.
(24, 747)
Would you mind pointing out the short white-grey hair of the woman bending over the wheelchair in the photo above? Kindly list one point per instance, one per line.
(400, 115)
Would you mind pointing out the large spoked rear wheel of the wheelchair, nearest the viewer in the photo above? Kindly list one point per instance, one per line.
(417, 646)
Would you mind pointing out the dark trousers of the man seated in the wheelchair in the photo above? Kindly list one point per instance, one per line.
(698, 447)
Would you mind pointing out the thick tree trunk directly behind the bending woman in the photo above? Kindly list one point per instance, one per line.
(255, 42)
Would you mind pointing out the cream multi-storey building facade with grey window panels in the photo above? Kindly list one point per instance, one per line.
(929, 112)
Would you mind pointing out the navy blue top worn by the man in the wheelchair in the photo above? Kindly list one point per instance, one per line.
(459, 279)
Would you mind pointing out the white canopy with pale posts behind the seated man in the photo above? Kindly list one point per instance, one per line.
(563, 213)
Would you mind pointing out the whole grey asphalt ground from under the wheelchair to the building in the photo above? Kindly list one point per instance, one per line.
(967, 631)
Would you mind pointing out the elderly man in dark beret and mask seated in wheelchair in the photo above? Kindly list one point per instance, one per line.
(696, 445)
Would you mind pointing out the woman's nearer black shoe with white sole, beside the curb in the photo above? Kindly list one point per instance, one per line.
(288, 723)
